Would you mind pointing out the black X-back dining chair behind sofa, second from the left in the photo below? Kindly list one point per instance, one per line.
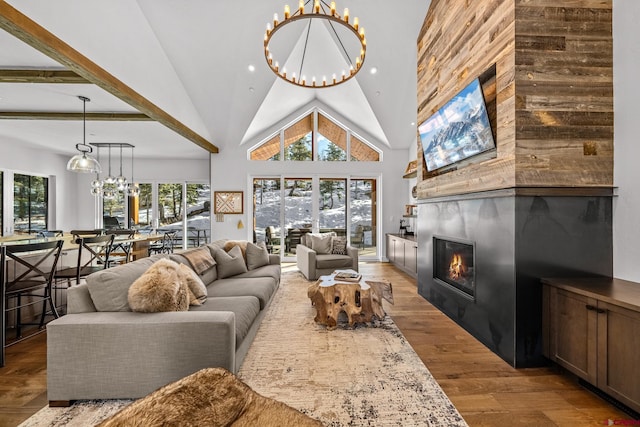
(93, 255)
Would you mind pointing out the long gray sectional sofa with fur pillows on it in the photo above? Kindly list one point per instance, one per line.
(102, 350)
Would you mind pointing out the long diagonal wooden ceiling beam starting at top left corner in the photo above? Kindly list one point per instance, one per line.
(36, 36)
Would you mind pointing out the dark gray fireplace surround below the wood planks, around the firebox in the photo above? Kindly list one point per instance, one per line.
(520, 235)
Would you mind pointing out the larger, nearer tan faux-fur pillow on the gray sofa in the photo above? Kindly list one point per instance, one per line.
(160, 288)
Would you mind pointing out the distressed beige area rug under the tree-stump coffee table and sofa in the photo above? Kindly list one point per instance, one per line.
(367, 375)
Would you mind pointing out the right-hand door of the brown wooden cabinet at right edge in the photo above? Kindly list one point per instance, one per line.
(619, 353)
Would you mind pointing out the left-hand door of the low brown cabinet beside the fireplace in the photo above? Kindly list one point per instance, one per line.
(573, 332)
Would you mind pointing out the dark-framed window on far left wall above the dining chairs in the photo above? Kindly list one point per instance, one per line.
(30, 203)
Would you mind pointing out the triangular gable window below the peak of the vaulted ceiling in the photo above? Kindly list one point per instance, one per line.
(318, 137)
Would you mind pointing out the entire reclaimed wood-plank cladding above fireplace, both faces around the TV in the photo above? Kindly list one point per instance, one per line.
(553, 89)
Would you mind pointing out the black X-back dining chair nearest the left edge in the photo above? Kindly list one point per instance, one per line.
(27, 269)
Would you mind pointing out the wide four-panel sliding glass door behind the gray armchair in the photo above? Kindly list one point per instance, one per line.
(286, 208)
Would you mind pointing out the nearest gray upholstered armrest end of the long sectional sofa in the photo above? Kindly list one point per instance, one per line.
(110, 355)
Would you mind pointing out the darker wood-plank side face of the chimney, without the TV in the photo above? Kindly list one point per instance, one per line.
(564, 93)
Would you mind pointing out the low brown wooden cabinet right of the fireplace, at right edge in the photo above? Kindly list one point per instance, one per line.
(592, 328)
